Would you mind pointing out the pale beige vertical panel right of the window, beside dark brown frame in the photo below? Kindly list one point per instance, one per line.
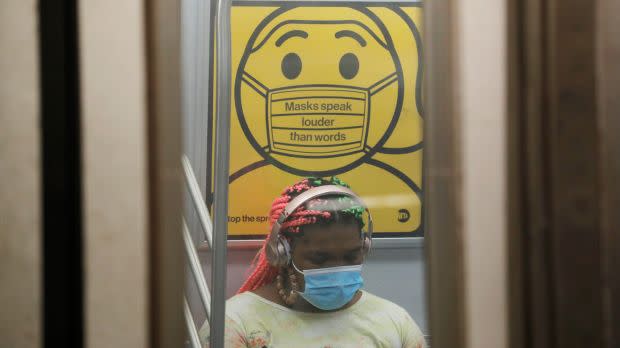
(482, 93)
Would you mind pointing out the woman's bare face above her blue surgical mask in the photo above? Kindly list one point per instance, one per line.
(330, 245)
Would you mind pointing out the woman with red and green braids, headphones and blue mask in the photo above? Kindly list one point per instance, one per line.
(304, 290)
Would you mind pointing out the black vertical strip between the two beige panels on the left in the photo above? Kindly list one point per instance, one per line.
(61, 201)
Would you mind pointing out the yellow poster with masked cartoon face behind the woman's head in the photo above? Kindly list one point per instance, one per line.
(323, 89)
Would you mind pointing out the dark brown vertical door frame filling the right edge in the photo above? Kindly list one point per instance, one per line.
(564, 174)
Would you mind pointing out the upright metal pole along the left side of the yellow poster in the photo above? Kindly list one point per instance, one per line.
(222, 148)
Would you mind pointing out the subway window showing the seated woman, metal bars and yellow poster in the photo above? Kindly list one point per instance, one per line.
(324, 173)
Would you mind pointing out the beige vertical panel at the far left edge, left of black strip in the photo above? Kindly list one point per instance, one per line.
(20, 222)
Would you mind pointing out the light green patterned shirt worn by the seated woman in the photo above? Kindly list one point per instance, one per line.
(254, 322)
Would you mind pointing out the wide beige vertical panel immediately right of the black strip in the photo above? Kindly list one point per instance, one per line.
(113, 88)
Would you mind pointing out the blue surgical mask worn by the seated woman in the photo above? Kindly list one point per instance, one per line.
(331, 288)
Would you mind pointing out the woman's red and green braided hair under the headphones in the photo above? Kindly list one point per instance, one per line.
(321, 210)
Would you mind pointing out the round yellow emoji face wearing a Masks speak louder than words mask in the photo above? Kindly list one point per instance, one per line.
(315, 93)
